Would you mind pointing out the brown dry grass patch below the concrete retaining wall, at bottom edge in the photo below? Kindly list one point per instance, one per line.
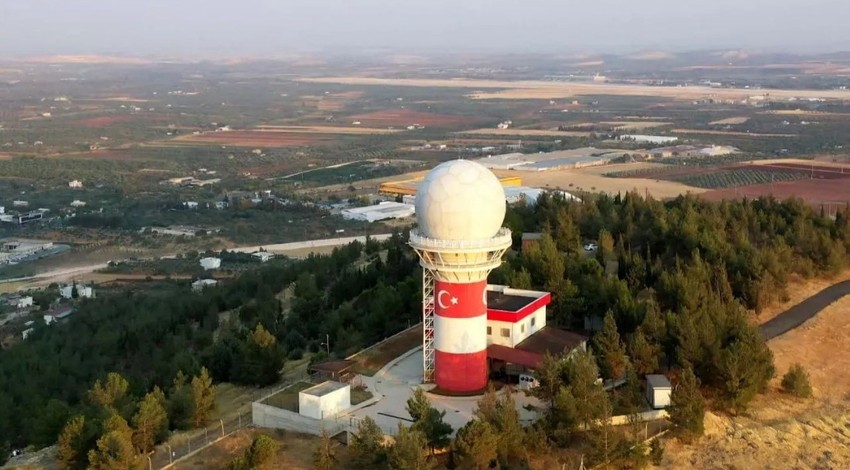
(295, 451)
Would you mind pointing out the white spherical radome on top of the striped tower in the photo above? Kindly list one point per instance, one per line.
(460, 200)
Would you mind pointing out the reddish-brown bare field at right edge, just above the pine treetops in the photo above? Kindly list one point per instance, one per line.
(815, 192)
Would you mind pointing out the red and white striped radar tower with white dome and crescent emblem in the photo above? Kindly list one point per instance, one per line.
(460, 207)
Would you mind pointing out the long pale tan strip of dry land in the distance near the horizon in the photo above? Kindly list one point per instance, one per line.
(531, 89)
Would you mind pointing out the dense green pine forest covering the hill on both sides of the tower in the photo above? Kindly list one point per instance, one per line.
(673, 284)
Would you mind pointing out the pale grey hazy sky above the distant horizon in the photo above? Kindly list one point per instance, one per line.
(208, 28)
